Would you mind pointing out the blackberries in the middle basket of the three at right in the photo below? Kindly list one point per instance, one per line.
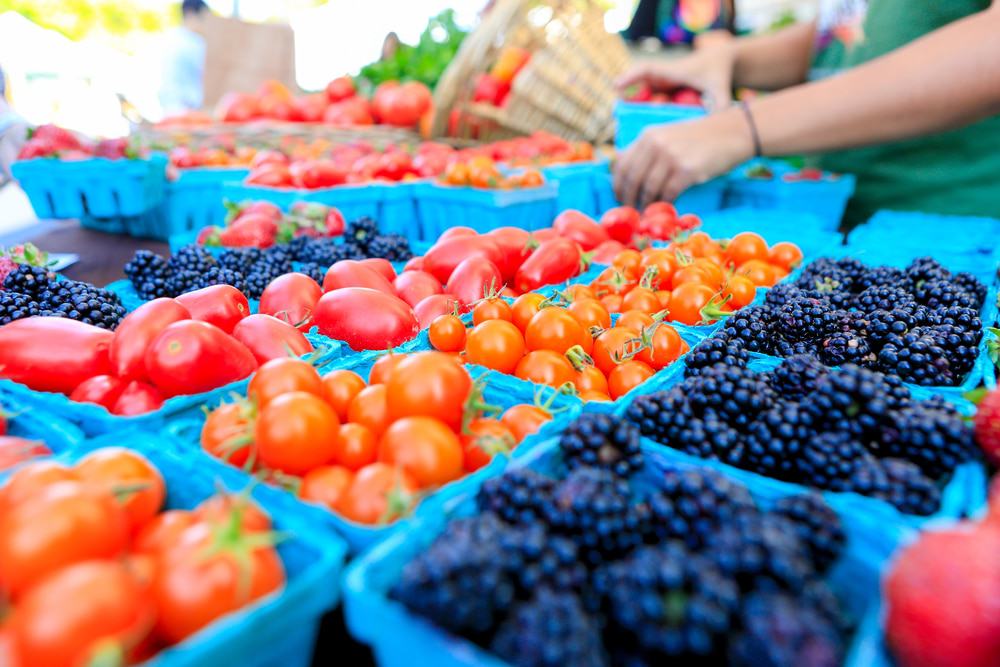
(849, 429)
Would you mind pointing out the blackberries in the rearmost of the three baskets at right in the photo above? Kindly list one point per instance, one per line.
(921, 323)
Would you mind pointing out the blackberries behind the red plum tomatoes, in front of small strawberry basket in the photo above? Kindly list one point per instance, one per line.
(250, 270)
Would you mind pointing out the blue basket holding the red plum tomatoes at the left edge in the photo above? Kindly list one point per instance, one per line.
(95, 420)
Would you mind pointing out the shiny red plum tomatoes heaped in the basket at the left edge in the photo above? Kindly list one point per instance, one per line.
(197, 342)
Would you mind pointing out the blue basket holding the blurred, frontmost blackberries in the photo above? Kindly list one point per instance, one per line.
(416, 641)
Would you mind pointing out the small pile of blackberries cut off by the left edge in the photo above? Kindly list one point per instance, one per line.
(31, 291)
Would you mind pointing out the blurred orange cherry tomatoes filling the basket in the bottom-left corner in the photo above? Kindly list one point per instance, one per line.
(94, 571)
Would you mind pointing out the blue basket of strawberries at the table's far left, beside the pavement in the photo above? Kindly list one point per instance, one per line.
(98, 191)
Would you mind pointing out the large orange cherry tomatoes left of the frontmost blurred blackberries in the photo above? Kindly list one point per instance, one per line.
(366, 449)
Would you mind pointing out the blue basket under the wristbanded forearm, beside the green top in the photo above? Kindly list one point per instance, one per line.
(825, 198)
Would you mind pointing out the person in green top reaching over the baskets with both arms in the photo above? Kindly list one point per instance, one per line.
(903, 93)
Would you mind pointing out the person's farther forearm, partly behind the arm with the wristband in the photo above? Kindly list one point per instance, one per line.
(774, 61)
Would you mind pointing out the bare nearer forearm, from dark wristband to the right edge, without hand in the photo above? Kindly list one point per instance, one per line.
(942, 81)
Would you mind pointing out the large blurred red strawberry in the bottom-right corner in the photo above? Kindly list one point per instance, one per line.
(943, 601)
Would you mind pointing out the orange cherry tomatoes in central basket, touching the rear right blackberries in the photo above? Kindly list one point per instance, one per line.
(566, 341)
